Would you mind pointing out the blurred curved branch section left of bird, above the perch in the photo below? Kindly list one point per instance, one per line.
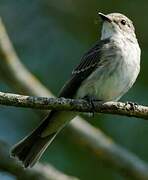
(13, 71)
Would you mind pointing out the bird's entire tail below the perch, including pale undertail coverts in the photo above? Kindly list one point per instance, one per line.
(30, 149)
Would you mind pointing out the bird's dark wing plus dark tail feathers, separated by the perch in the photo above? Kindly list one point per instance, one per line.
(32, 147)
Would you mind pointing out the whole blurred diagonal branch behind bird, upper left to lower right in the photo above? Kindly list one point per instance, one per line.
(100, 145)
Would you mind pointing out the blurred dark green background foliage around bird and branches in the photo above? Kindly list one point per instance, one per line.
(50, 36)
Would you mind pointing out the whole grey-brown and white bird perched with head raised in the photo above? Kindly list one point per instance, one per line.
(105, 73)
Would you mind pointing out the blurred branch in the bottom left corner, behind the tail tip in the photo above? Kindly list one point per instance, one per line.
(44, 172)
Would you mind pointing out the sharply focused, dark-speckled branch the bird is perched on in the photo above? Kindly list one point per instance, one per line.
(44, 103)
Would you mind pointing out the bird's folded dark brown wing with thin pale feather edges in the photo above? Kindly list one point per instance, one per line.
(88, 63)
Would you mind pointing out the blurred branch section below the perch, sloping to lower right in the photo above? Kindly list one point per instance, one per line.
(109, 152)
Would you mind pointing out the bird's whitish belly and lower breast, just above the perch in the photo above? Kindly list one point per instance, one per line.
(107, 83)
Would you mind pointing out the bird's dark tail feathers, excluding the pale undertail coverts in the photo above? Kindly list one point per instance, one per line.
(30, 149)
